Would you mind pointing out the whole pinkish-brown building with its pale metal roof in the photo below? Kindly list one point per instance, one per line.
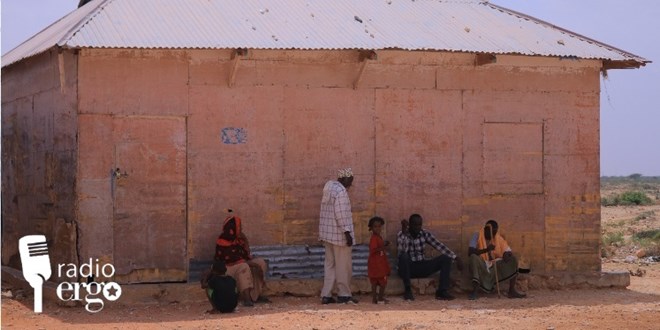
(128, 126)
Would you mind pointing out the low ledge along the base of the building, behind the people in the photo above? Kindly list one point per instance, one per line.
(191, 292)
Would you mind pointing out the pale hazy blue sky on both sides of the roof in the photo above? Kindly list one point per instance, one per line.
(630, 109)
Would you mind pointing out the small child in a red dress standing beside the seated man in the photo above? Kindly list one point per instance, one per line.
(378, 268)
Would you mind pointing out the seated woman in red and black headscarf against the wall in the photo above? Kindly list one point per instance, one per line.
(233, 249)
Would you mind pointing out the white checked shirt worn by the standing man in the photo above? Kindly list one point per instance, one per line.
(336, 217)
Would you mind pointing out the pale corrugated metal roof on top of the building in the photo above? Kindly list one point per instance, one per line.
(456, 26)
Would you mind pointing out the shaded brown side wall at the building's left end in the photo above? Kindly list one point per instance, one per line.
(39, 128)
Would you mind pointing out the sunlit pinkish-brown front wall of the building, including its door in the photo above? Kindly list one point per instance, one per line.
(198, 131)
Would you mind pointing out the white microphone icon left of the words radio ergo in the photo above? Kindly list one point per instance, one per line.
(36, 265)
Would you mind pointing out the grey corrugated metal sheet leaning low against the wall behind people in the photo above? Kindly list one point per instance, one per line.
(292, 261)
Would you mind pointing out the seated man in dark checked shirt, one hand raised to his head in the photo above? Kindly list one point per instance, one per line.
(412, 264)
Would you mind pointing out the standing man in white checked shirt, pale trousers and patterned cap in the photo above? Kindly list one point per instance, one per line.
(337, 234)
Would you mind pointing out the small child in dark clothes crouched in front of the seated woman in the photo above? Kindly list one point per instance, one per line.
(220, 288)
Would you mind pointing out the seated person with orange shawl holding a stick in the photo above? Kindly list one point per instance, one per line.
(491, 261)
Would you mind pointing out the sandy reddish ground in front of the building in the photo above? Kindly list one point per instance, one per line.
(637, 307)
